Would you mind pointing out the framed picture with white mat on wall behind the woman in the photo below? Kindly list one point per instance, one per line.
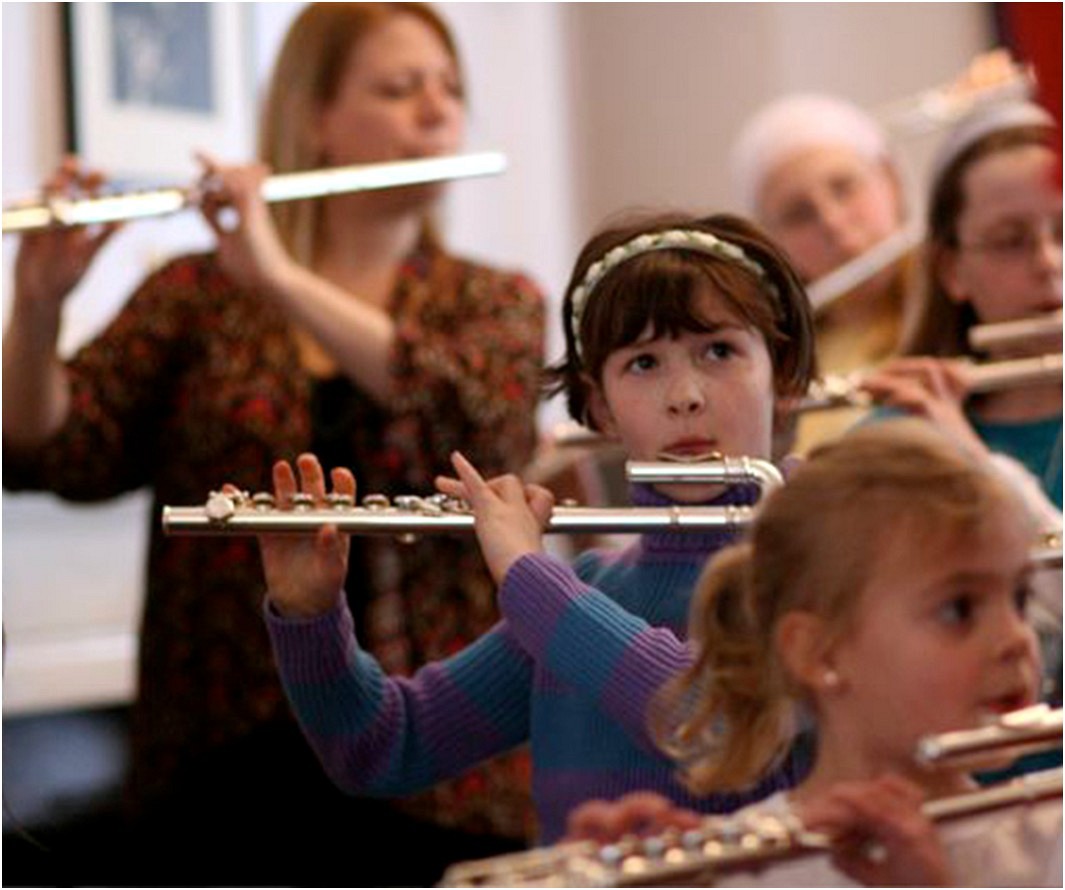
(151, 84)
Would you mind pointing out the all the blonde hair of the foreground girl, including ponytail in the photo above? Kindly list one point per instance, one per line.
(734, 714)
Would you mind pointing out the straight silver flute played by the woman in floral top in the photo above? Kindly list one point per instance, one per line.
(61, 212)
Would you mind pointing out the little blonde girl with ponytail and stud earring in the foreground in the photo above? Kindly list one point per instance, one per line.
(883, 590)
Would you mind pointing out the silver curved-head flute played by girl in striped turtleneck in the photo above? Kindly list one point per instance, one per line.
(409, 516)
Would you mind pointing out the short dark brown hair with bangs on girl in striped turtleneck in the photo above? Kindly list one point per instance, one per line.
(661, 289)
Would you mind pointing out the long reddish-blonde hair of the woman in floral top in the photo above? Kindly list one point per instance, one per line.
(306, 79)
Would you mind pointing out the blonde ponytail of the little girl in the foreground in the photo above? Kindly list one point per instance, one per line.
(728, 719)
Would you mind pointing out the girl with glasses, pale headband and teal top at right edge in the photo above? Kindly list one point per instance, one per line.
(994, 254)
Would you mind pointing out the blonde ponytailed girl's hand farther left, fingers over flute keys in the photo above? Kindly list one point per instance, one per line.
(641, 813)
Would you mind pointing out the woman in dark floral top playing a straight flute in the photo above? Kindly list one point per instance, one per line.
(342, 326)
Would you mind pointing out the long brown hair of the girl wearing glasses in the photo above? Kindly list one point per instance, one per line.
(940, 324)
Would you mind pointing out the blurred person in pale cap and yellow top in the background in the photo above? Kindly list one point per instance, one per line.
(817, 173)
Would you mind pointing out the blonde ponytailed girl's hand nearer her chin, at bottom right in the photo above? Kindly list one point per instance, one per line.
(882, 837)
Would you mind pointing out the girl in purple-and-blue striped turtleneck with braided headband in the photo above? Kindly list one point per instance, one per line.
(684, 337)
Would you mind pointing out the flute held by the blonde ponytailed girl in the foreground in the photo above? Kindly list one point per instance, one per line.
(724, 845)
